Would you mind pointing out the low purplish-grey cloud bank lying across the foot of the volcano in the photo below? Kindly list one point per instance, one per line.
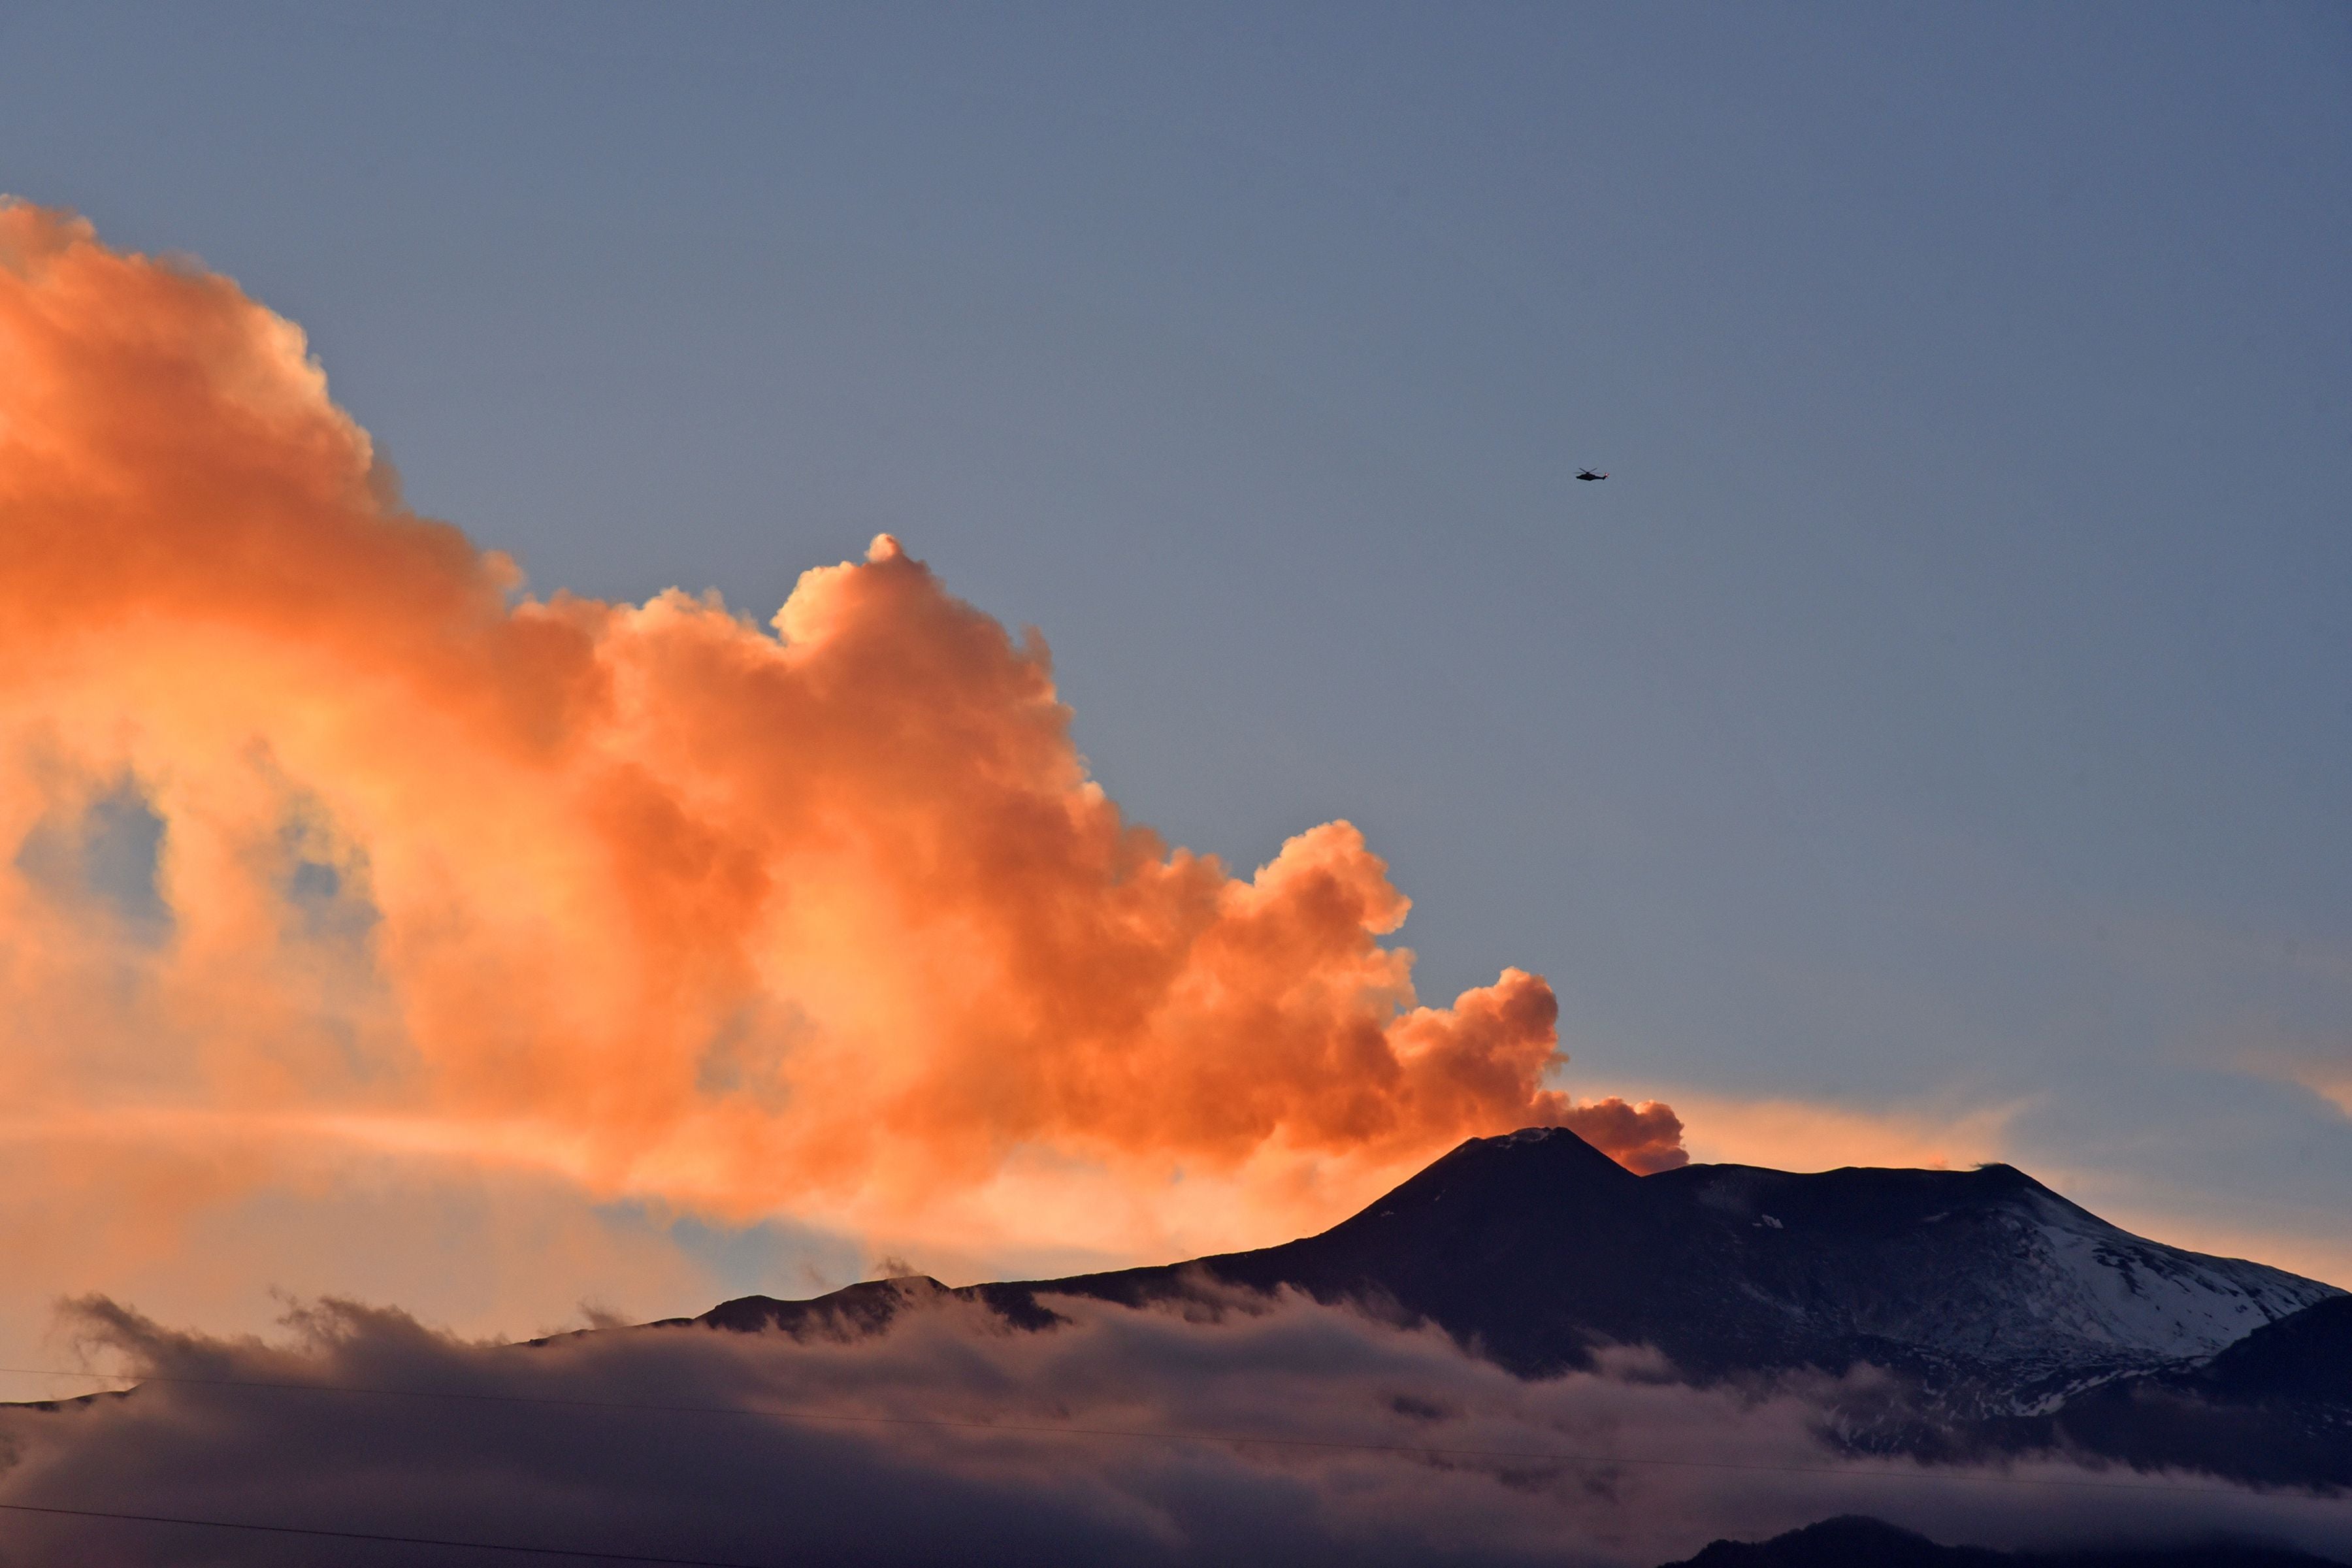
(1316, 1435)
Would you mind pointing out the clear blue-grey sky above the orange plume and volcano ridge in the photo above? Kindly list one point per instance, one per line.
(1944, 706)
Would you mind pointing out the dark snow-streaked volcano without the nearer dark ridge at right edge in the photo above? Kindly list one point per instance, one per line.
(1537, 1249)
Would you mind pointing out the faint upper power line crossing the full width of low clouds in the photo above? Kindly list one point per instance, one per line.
(791, 1414)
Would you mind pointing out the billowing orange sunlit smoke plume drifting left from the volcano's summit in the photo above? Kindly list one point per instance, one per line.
(314, 831)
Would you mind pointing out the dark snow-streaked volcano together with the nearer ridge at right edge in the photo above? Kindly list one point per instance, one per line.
(2012, 1318)
